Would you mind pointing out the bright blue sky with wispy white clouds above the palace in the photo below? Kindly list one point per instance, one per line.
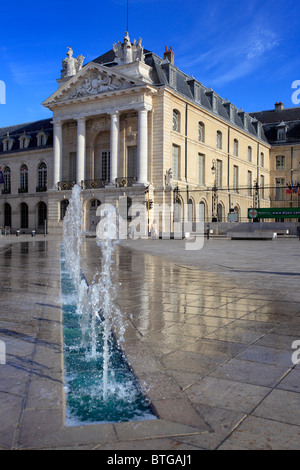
(247, 52)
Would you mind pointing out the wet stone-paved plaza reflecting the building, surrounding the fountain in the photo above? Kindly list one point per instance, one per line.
(209, 335)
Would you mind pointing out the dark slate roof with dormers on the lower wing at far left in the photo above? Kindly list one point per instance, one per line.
(31, 129)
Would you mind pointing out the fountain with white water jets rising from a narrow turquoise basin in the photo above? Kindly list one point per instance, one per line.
(100, 386)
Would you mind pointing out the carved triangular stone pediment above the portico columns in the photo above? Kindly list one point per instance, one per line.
(91, 81)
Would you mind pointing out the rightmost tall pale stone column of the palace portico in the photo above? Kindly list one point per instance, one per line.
(142, 163)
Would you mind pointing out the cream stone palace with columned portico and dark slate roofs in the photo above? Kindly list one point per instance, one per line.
(130, 126)
